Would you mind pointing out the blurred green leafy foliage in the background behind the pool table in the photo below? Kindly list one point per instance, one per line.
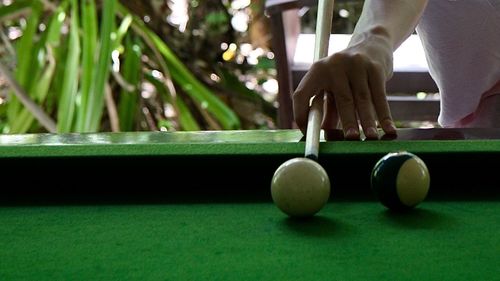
(156, 65)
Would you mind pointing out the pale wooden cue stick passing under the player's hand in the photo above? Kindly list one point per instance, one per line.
(323, 29)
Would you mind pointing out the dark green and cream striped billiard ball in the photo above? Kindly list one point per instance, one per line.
(400, 180)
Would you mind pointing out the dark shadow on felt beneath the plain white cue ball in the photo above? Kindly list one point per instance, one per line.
(315, 226)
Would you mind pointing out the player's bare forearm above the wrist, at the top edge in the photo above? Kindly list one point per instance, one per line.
(393, 20)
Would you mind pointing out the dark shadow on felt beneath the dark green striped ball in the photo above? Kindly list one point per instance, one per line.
(416, 218)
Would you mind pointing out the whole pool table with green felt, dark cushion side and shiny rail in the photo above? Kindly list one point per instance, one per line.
(197, 206)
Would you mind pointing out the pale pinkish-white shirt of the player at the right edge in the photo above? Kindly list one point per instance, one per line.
(462, 43)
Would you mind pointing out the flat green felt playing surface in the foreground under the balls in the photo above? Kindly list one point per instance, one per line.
(255, 241)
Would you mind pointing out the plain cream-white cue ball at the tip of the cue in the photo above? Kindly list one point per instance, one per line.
(300, 187)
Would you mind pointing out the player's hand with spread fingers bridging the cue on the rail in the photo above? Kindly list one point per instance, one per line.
(354, 82)
